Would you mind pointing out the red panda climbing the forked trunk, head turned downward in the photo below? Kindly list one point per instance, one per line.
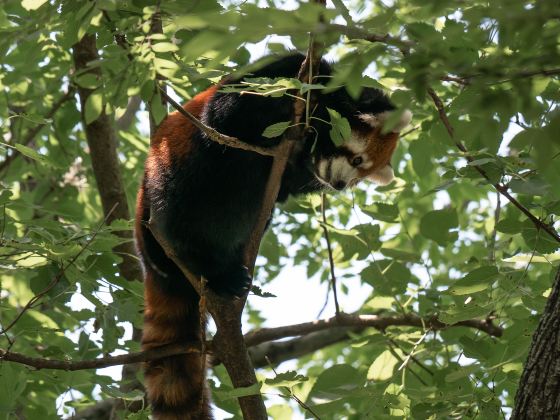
(204, 198)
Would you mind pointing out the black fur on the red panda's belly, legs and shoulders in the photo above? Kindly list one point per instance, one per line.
(206, 205)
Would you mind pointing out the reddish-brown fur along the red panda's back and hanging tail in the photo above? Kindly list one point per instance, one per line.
(176, 386)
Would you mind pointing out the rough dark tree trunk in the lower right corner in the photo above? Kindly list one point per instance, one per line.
(538, 396)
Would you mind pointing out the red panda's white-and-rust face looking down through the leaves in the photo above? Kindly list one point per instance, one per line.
(367, 154)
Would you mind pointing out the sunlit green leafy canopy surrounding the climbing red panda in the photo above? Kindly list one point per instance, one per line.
(454, 260)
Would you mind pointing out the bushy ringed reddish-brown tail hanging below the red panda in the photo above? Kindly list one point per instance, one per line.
(176, 386)
